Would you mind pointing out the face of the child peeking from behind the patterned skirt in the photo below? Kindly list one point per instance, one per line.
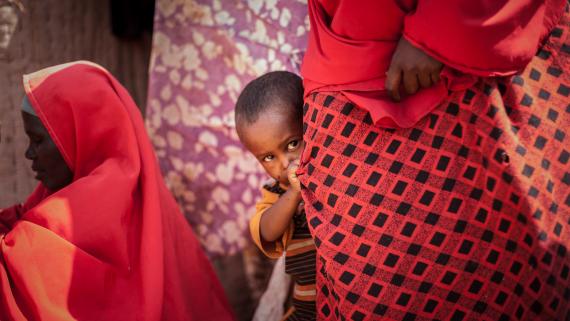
(276, 140)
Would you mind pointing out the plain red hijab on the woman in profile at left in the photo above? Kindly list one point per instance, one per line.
(112, 245)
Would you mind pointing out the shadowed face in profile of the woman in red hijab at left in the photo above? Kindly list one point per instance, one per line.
(47, 162)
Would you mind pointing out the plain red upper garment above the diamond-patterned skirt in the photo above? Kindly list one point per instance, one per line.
(351, 46)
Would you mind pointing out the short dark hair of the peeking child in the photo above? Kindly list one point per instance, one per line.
(272, 88)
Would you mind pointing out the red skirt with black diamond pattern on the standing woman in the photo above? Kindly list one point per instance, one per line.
(464, 216)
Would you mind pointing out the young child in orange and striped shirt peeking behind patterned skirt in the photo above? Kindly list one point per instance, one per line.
(268, 117)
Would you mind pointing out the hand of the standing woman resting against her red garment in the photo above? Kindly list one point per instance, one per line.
(412, 68)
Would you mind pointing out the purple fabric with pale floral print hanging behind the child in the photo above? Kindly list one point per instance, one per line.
(204, 53)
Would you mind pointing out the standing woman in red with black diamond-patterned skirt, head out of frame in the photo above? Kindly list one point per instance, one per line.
(436, 161)
